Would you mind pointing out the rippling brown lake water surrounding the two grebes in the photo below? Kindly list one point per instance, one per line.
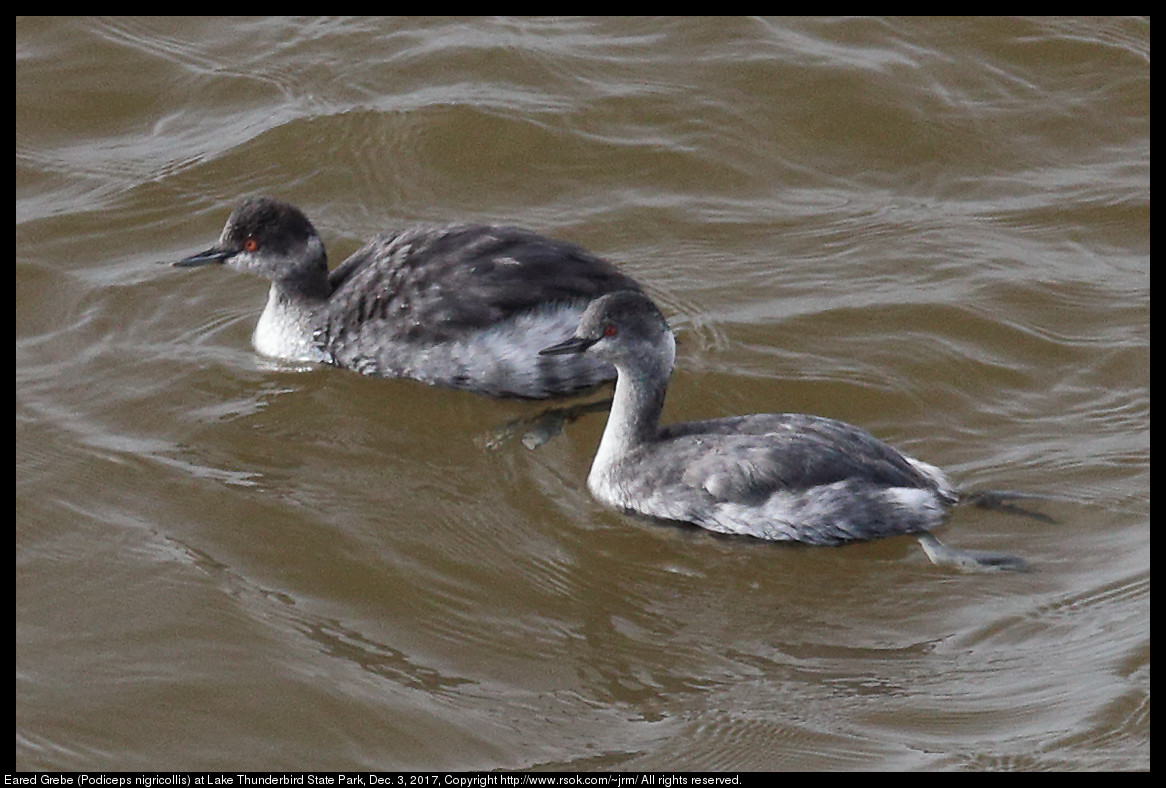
(936, 229)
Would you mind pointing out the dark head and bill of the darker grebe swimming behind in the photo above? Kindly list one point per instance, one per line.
(270, 238)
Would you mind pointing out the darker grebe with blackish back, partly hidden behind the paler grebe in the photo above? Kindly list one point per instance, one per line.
(460, 306)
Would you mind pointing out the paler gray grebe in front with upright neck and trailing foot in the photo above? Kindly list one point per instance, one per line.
(782, 477)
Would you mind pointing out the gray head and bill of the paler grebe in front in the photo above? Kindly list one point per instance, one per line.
(624, 328)
